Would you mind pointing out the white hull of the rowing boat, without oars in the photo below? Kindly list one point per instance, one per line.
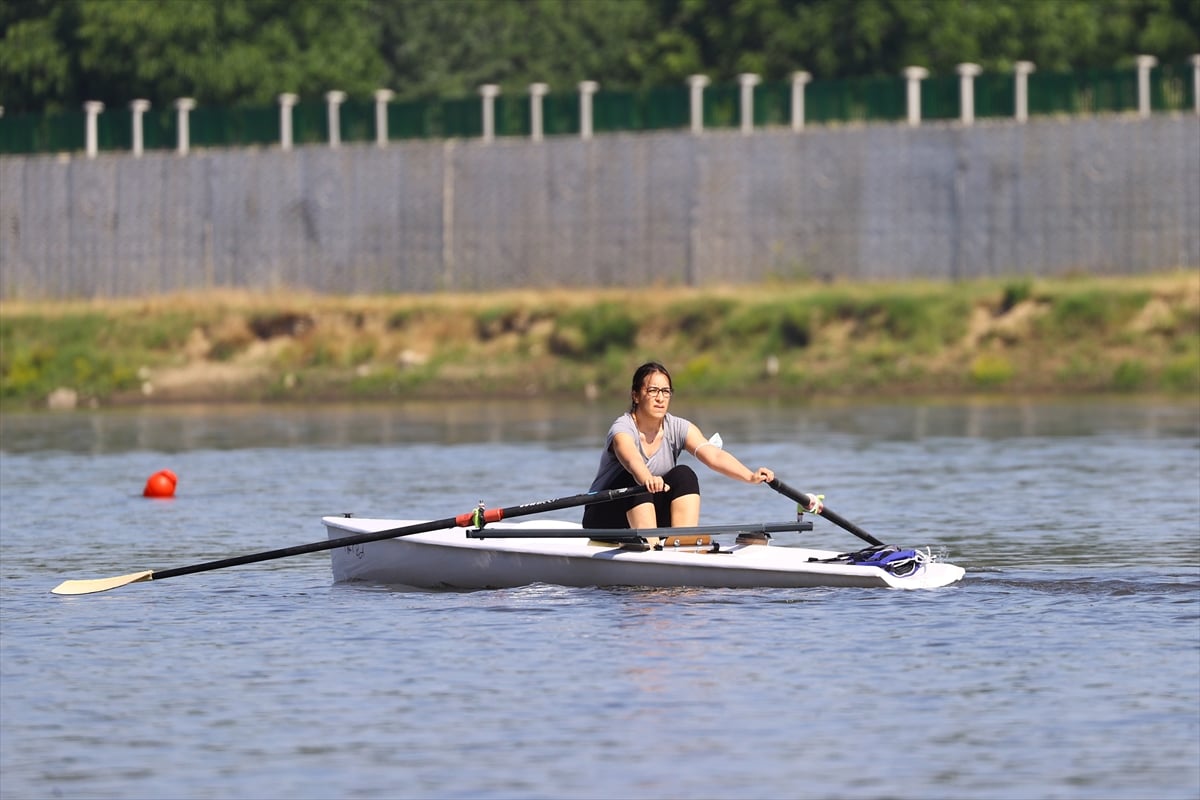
(448, 560)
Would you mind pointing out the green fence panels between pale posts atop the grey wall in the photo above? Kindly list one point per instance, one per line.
(839, 101)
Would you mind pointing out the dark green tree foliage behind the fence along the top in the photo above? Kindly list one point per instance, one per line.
(59, 53)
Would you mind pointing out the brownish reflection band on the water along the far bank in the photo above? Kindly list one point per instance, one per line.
(231, 428)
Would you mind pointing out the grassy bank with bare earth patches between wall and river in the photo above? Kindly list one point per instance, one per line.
(1137, 335)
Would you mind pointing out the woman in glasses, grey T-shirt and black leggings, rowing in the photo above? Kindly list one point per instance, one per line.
(643, 449)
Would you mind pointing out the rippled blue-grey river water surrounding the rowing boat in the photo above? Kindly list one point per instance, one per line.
(1066, 665)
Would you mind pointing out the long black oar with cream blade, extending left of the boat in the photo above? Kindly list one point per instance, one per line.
(478, 519)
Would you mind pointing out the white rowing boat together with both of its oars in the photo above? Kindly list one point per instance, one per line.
(463, 552)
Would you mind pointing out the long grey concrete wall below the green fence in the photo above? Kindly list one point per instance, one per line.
(1115, 195)
